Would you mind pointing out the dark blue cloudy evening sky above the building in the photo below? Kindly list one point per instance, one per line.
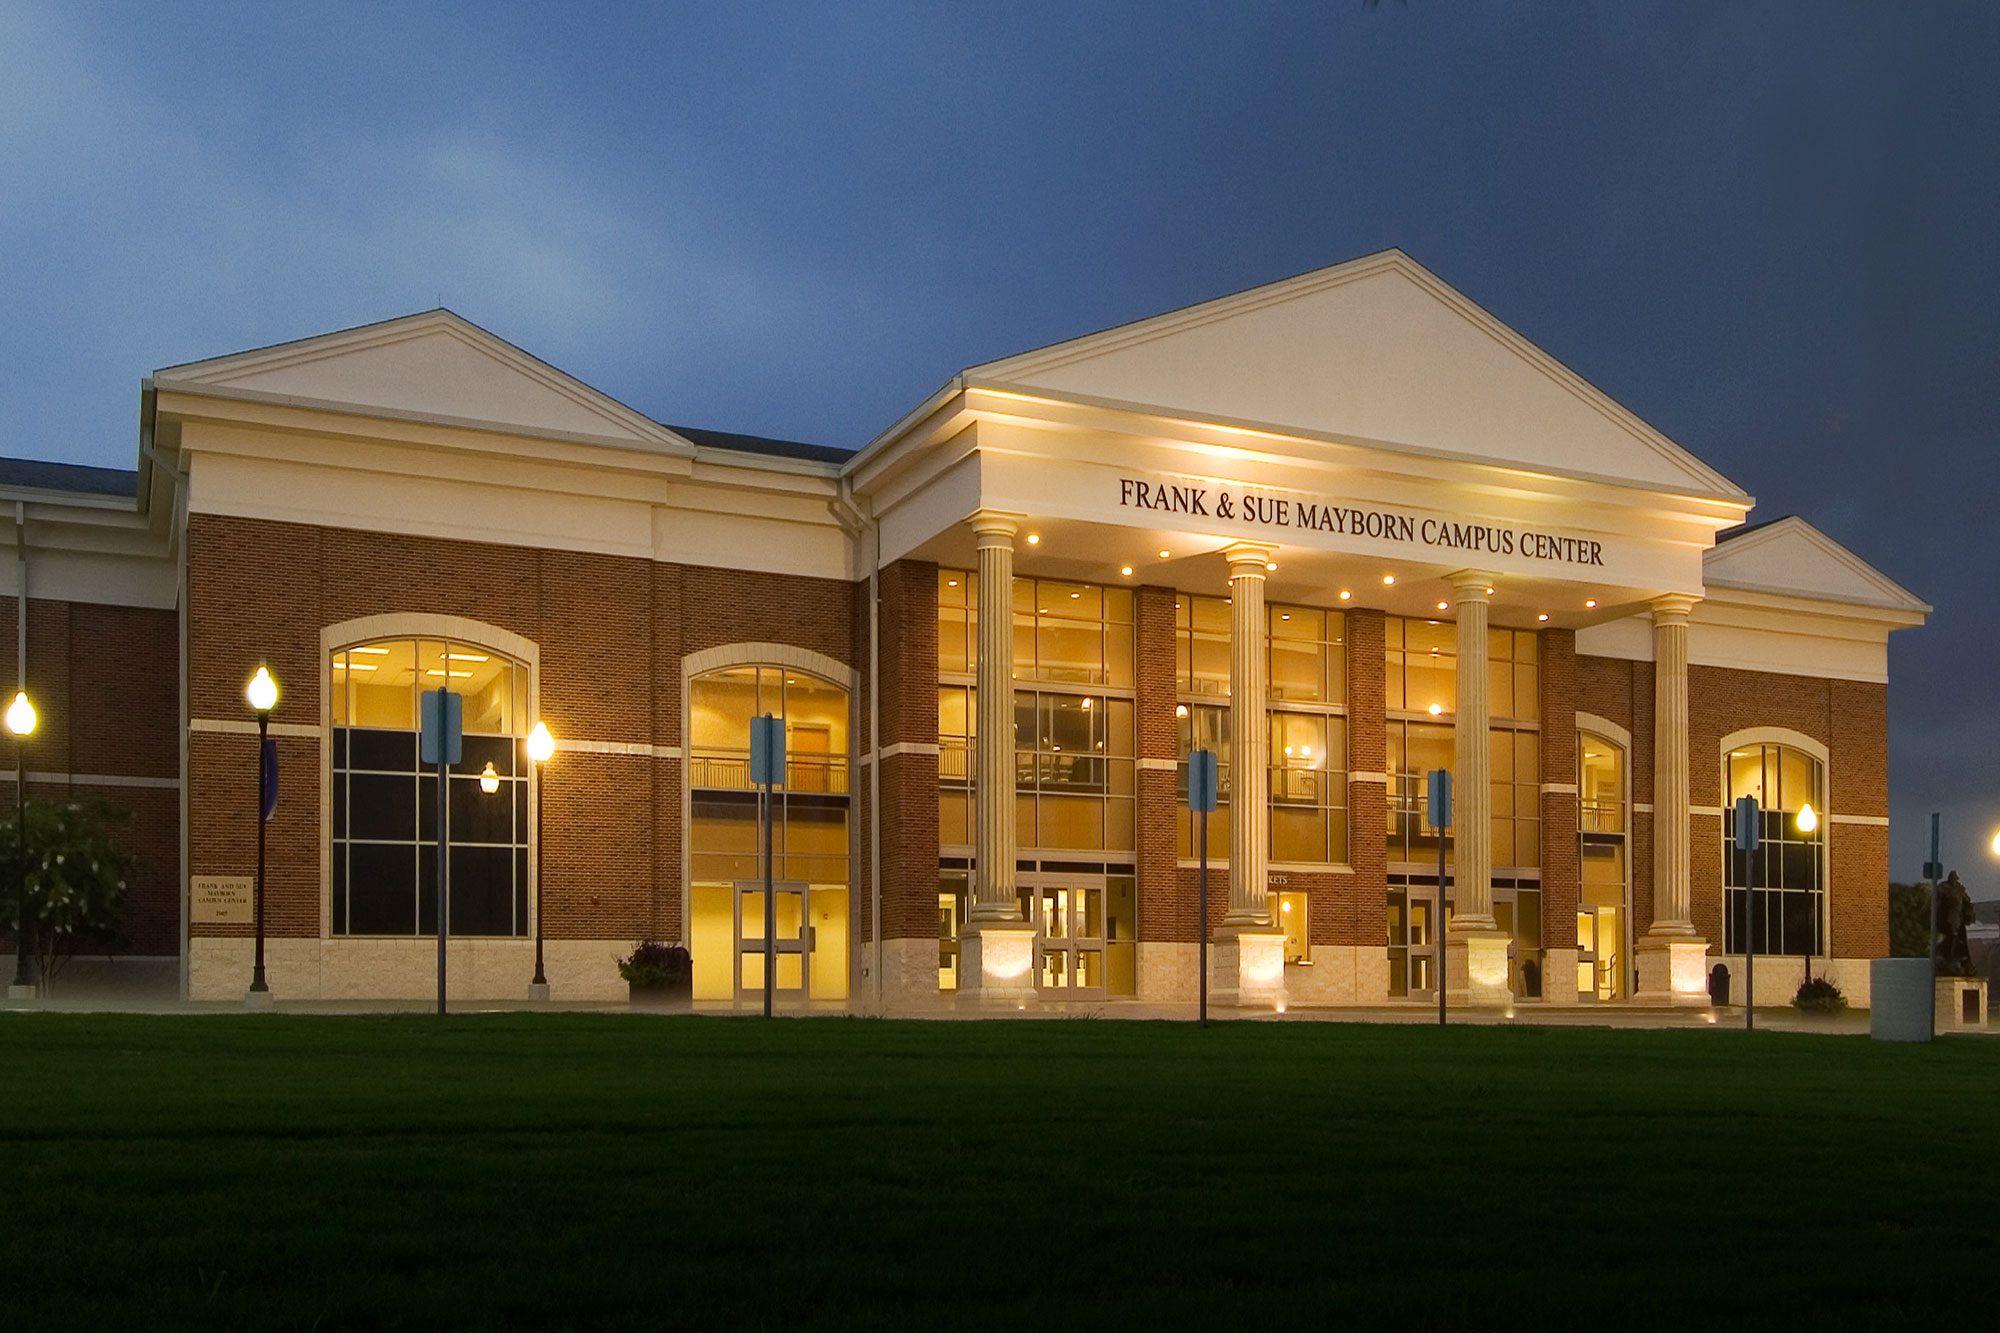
(1767, 229)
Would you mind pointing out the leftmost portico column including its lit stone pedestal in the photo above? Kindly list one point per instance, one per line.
(997, 952)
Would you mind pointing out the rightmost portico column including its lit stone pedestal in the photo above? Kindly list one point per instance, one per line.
(1673, 960)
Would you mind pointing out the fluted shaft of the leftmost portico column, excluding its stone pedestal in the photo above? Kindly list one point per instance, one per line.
(993, 882)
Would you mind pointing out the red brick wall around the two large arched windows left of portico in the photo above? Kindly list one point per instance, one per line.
(613, 633)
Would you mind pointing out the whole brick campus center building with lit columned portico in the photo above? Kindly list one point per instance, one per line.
(1343, 529)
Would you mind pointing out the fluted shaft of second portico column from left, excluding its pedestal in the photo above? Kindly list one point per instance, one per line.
(1249, 740)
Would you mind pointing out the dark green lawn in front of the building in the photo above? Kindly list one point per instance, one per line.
(631, 1172)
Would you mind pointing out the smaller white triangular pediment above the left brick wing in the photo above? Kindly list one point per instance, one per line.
(431, 367)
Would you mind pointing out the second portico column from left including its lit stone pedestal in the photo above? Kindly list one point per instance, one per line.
(1249, 956)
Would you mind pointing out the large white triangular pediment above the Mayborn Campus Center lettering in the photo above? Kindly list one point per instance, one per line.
(1371, 351)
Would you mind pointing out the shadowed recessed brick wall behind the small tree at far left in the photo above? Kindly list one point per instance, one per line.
(107, 692)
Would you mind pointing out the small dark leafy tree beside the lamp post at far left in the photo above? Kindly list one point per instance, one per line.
(77, 878)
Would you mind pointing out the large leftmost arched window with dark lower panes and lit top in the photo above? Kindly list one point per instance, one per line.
(385, 804)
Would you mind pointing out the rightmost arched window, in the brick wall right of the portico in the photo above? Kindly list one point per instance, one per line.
(1783, 882)
